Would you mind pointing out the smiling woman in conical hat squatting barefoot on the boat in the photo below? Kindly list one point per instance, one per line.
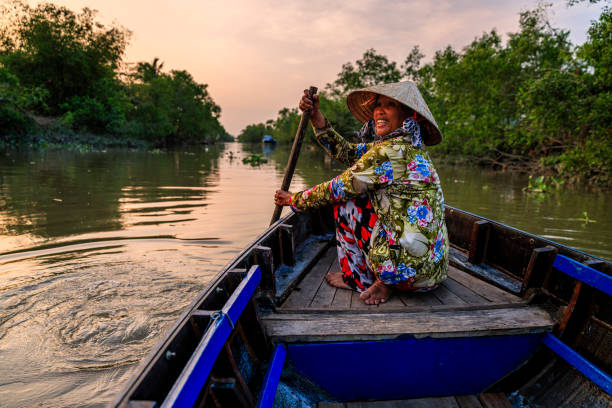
(389, 206)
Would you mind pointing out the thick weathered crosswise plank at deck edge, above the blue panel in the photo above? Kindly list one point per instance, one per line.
(378, 326)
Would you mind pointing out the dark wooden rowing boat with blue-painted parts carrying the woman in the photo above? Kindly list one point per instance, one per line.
(519, 319)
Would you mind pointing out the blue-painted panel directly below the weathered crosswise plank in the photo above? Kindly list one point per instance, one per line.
(411, 368)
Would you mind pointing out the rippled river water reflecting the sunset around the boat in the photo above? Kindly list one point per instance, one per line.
(100, 251)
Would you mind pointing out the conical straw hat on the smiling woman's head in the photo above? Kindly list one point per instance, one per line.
(360, 104)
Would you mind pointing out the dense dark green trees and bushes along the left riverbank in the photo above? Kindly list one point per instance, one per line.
(64, 72)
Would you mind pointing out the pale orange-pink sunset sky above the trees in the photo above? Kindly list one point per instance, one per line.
(257, 56)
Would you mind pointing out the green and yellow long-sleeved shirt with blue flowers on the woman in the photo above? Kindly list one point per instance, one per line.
(409, 242)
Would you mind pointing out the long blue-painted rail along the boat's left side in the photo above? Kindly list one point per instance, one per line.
(189, 384)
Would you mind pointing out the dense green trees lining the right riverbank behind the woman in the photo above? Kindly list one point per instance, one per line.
(536, 103)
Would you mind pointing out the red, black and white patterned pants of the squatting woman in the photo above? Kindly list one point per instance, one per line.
(355, 220)
